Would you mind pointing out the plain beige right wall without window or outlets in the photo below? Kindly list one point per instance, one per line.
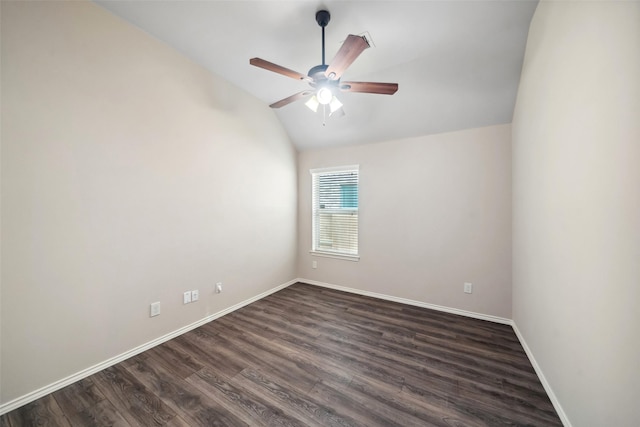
(576, 207)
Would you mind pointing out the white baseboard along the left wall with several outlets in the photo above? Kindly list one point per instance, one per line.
(37, 394)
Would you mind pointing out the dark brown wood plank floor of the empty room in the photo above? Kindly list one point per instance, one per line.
(309, 356)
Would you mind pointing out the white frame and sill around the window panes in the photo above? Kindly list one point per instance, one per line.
(314, 214)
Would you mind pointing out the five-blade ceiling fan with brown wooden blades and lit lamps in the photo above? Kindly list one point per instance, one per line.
(325, 79)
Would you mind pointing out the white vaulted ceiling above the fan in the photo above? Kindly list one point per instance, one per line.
(457, 63)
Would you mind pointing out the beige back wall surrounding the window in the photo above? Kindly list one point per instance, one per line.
(435, 212)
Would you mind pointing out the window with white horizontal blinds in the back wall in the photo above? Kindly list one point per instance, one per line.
(335, 211)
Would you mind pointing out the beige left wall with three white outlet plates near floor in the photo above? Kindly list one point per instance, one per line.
(129, 175)
